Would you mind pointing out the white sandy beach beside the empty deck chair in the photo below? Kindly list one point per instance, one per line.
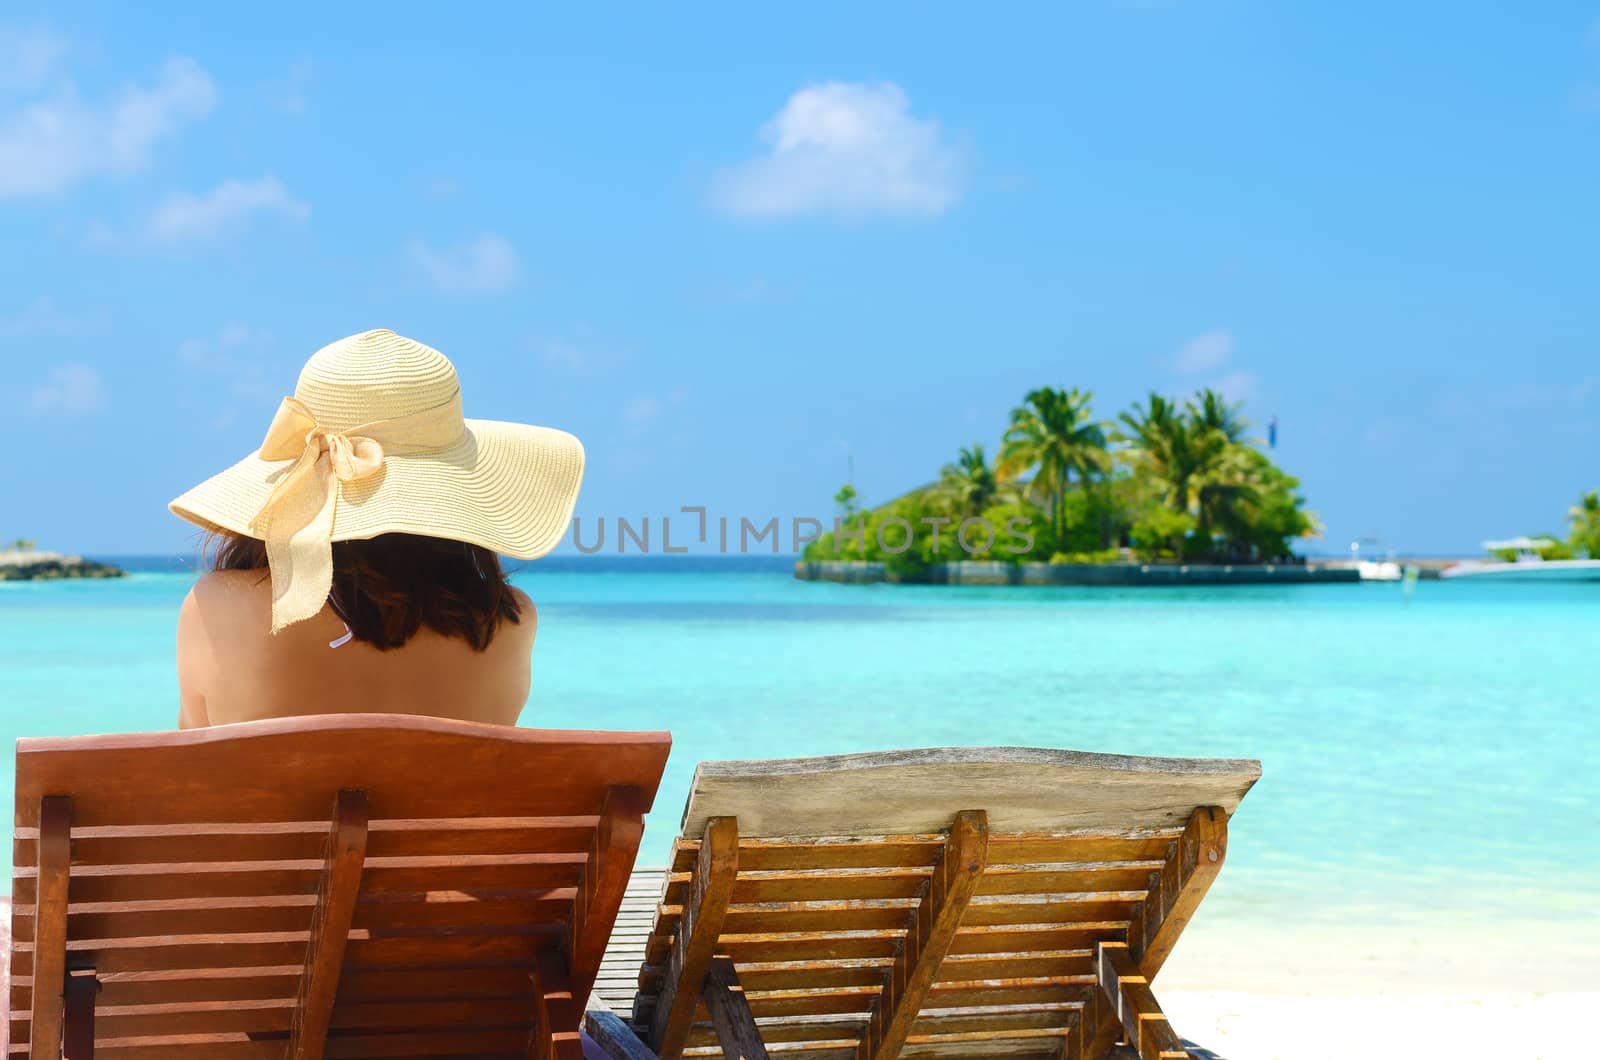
(1318, 994)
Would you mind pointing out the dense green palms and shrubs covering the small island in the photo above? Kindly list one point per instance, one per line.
(1166, 483)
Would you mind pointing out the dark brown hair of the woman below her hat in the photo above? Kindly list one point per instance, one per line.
(390, 587)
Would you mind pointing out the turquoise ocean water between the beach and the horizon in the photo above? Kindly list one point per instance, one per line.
(1434, 758)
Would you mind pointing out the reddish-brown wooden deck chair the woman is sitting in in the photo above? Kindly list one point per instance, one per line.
(342, 886)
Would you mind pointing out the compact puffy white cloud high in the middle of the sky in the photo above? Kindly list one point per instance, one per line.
(846, 150)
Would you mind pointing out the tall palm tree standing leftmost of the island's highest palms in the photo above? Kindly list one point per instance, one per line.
(1055, 436)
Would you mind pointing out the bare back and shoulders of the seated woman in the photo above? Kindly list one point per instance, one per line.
(233, 670)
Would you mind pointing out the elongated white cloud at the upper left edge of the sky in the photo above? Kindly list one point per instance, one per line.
(50, 145)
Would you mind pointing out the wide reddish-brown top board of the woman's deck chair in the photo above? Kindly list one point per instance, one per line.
(279, 771)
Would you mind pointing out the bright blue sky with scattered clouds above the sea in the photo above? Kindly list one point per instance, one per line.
(730, 246)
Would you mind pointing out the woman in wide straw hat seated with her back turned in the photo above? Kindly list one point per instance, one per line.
(356, 553)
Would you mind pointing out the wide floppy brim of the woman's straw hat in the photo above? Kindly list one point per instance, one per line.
(508, 488)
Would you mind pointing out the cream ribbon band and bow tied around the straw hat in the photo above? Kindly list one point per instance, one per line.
(297, 521)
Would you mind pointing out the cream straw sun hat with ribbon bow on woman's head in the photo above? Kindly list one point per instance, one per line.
(374, 443)
